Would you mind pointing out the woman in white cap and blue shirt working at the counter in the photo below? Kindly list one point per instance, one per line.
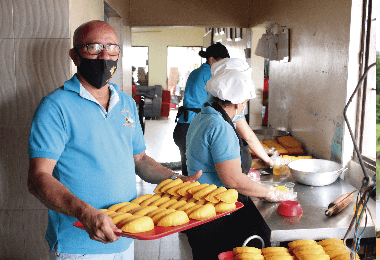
(215, 147)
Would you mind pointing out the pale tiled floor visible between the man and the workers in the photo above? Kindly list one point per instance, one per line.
(161, 147)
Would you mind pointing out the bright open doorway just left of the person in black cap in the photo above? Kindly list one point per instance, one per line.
(181, 61)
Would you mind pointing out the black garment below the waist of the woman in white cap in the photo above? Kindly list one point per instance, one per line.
(208, 240)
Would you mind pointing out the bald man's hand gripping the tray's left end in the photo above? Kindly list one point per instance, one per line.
(99, 226)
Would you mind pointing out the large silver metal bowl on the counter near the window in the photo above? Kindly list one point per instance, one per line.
(315, 172)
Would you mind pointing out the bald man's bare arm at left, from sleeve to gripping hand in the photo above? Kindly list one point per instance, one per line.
(55, 196)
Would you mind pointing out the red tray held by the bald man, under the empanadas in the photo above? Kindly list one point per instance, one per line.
(159, 232)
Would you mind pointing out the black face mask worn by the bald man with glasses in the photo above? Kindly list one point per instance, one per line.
(97, 72)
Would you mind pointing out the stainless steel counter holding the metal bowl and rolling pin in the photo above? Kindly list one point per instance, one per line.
(313, 224)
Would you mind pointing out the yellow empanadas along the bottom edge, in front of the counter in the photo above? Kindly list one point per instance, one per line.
(305, 249)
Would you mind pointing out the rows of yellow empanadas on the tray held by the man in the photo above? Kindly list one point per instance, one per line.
(174, 203)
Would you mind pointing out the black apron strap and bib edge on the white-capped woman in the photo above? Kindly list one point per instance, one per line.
(245, 155)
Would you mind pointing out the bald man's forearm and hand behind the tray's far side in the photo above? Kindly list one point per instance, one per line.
(151, 171)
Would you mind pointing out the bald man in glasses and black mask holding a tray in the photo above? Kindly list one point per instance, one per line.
(85, 147)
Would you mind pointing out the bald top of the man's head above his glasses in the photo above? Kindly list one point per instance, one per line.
(90, 32)
